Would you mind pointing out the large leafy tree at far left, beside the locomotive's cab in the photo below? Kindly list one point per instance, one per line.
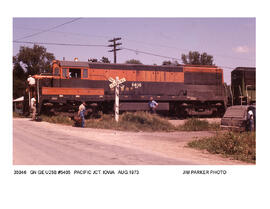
(29, 61)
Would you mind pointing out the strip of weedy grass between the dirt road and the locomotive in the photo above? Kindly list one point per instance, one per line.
(136, 121)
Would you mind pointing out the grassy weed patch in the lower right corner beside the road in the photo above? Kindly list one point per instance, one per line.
(239, 146)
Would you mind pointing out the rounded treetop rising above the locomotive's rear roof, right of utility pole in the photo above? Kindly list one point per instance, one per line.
(195, 58)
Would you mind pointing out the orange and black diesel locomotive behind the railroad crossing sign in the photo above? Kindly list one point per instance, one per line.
(180, 90)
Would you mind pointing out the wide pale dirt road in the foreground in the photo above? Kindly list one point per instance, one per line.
(42, 143)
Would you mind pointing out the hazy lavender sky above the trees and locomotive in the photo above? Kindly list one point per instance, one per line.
(231, 41)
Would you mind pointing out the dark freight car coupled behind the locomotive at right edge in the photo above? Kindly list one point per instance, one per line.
(243, 86)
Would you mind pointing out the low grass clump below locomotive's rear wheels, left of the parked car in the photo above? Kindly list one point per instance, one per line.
(195, 124)
